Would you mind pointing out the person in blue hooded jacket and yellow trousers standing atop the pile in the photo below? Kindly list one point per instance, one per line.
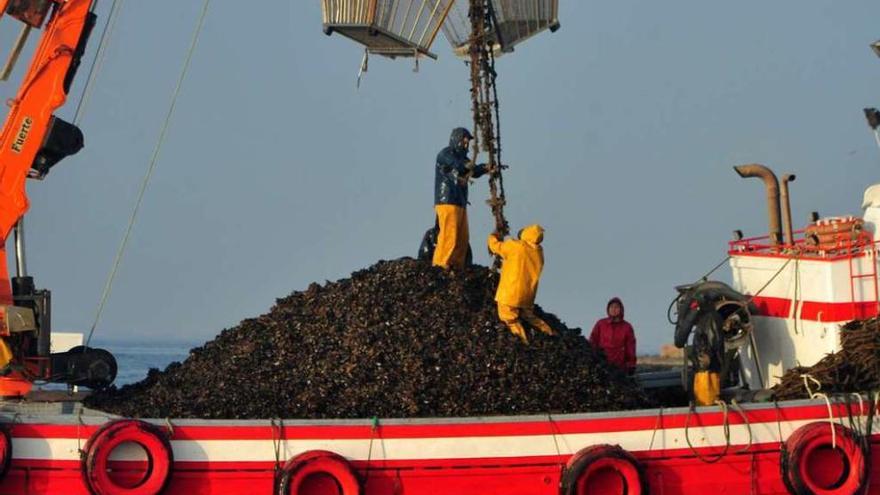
(451, 176)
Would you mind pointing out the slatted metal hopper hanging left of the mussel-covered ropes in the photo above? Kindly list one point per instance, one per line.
(393, 28)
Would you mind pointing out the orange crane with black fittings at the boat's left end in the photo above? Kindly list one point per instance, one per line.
(34, 140)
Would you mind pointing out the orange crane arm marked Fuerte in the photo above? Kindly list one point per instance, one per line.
(33, 139)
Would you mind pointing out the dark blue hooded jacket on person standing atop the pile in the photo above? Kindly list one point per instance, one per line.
(451, 173)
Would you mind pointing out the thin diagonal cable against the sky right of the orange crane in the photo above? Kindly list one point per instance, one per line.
(152, 166)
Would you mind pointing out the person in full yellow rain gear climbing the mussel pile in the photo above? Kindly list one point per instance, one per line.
(520, 273)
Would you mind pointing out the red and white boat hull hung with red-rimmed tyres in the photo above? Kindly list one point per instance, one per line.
(473, 456)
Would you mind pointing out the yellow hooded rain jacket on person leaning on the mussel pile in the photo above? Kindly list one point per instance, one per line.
(523, 262)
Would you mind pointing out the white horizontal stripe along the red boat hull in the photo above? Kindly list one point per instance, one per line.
(67, 449)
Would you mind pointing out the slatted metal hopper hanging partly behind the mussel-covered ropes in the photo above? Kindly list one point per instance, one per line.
(516, 21)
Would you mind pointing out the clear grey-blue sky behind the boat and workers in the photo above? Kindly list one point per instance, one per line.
(621, 131)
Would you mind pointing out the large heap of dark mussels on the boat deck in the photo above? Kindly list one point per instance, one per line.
(398, 339)
